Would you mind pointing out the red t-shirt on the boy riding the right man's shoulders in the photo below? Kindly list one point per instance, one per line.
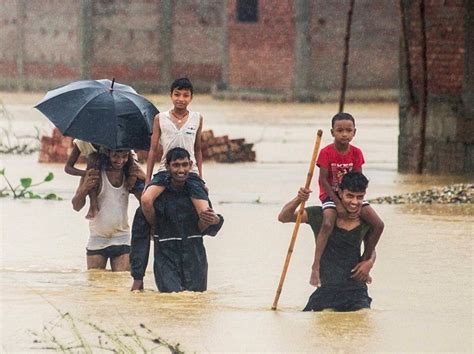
(338, 165)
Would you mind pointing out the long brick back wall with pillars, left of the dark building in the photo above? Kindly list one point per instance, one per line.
(148, 42)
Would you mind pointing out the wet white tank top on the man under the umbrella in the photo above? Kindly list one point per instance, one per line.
(110, 226)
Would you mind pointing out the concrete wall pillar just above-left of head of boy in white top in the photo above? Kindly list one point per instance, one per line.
(165, 42)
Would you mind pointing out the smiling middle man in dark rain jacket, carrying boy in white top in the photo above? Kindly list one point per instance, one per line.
(180, 261)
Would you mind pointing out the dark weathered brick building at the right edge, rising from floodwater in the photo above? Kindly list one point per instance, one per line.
(446, 146)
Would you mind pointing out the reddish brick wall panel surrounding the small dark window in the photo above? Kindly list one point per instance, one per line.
(261, 54)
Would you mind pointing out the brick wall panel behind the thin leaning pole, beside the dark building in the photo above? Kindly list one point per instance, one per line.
(373, 57)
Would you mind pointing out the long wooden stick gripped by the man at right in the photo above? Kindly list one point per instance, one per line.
(298, 218)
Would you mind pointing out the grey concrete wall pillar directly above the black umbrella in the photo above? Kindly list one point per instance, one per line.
(86, 31)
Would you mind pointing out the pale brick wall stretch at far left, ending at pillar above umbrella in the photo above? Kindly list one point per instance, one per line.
(47, 48)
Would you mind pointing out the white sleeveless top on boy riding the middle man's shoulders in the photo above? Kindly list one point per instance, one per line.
(172, 137)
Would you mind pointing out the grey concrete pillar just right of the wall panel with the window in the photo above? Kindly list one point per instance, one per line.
(302, 76)
